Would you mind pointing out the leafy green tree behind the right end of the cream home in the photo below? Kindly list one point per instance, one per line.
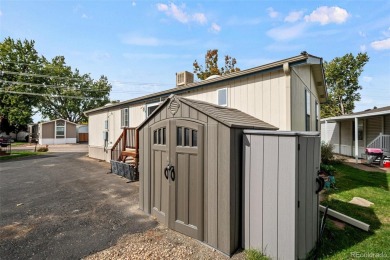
(342, 78)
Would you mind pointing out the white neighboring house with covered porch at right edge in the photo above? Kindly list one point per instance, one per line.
(373, 129)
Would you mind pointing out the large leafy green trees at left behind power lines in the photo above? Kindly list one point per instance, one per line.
(30, 83)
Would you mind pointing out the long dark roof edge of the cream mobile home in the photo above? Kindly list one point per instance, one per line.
(303, 58)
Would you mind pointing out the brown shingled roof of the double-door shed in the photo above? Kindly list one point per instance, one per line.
(230, 117)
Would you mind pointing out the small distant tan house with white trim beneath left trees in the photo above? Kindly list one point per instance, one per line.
(57, 131)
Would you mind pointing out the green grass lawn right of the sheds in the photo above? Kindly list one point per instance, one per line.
(351, 242)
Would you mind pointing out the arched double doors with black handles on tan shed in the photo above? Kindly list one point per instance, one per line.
(177, 175)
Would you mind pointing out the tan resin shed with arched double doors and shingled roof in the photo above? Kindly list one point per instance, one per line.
(191, 169)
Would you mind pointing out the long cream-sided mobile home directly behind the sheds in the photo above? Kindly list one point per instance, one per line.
(285, 93)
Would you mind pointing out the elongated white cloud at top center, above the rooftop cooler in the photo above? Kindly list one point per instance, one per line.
(180, 15)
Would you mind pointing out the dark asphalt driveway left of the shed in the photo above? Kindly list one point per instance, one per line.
(64, 205)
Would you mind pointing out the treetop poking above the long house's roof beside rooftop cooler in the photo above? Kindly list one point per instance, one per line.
(211, 65)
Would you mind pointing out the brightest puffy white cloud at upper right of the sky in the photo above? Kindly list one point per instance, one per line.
(325, 15)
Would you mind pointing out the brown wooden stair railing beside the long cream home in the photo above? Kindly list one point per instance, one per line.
(128, 139)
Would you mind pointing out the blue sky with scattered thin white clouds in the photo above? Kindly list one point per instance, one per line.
(140, 45)
